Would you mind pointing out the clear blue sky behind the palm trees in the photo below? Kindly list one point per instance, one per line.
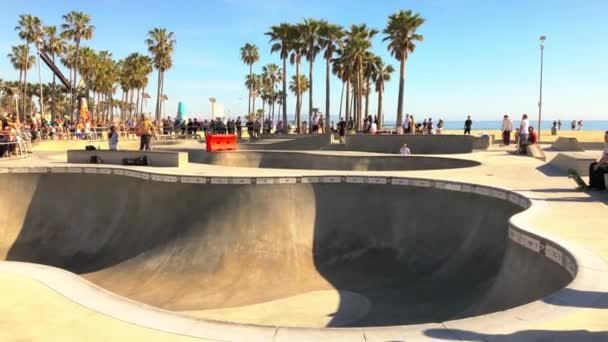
(479, 57)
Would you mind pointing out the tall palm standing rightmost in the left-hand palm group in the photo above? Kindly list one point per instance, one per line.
(161, 45)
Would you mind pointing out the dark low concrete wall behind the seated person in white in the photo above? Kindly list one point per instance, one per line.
(419, 144)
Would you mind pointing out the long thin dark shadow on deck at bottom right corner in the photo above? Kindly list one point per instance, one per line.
(519, 336)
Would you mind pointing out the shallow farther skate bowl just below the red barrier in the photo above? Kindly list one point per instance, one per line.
(327, 161)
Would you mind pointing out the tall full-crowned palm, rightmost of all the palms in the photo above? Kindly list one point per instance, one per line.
(402, 37)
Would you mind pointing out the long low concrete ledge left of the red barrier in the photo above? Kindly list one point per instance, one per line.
(157, 158)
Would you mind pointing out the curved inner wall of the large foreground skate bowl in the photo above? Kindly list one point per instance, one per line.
(415, 254)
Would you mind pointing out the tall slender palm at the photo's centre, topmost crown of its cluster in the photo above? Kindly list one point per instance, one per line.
(310, 35)
